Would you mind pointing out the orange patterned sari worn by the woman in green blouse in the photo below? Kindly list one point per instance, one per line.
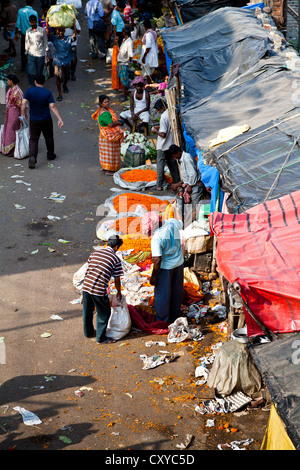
(110, 139)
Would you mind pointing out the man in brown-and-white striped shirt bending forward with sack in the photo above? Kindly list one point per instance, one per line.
(102, 265)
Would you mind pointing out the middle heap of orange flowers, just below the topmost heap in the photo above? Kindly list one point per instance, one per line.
(128, 202)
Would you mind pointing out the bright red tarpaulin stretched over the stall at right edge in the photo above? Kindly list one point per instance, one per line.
(260, 250)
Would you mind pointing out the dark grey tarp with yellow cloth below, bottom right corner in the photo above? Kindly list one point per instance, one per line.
(278, 363)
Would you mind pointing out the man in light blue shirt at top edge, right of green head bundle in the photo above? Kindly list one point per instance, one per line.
(94, 11)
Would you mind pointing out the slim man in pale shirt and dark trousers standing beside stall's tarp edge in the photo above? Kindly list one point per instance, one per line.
(164, 141)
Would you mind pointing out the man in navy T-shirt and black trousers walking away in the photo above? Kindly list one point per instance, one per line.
(40, 102)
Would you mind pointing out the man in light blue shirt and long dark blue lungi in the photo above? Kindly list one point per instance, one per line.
(167, 273)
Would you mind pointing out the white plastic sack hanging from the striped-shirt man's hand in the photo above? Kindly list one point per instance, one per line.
(119, 323)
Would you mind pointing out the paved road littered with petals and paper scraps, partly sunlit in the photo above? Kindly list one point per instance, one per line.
(123, 406)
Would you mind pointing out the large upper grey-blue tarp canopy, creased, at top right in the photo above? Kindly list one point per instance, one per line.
(230, 73)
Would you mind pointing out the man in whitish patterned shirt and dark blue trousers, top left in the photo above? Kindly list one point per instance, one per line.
(36, 47)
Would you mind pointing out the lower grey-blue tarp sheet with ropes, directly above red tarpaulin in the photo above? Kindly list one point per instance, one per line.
(259, 165)
